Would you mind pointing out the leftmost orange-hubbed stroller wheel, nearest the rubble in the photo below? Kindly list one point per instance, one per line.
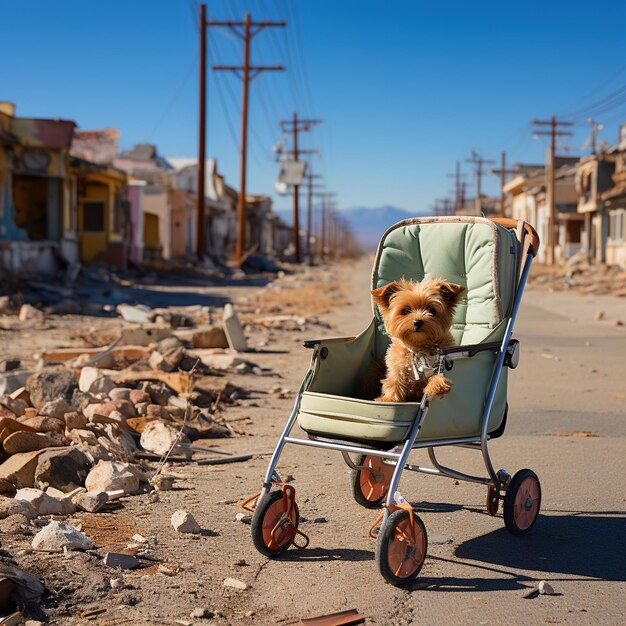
(273, 524)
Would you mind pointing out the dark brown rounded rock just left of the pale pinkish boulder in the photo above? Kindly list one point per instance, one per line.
(62, 468)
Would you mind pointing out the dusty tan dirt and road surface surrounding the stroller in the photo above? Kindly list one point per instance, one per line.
(566, 422)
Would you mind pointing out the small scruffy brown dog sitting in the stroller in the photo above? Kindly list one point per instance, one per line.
(418, 317)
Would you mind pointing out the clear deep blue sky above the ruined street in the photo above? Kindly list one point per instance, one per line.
(405, 87)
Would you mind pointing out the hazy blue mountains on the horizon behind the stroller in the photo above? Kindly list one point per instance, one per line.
(366, 223)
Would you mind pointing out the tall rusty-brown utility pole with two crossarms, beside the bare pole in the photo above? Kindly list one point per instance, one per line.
(247, 73)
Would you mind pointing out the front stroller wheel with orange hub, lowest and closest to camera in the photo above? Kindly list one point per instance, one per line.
(400, 549)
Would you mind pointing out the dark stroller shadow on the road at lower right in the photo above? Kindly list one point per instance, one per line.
(581, 544)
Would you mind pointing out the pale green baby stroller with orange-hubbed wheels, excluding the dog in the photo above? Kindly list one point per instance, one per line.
(491, 259)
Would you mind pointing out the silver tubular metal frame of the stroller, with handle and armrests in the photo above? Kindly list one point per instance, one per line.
(497, 481)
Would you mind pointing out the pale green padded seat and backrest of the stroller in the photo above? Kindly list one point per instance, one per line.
(471, 251)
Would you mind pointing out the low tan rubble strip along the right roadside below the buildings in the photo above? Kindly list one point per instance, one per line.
(580, 276)
